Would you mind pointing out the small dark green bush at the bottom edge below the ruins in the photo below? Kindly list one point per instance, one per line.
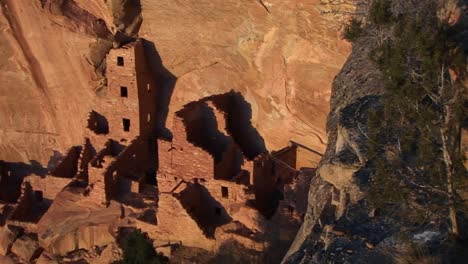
(138, 250)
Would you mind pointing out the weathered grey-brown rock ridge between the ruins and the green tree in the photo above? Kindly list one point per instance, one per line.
(356, 90)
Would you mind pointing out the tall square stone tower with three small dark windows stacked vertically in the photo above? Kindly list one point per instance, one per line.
(130, 103)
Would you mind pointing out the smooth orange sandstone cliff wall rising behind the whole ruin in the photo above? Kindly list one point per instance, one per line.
(281, 55)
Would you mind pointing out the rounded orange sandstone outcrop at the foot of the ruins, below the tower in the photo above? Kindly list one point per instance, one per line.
(74, 222)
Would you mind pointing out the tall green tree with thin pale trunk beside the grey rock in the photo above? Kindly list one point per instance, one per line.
(413, 139)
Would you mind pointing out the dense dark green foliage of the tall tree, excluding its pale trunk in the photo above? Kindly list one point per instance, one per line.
(404, 138)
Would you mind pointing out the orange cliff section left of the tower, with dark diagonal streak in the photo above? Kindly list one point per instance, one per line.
(46, 82)
